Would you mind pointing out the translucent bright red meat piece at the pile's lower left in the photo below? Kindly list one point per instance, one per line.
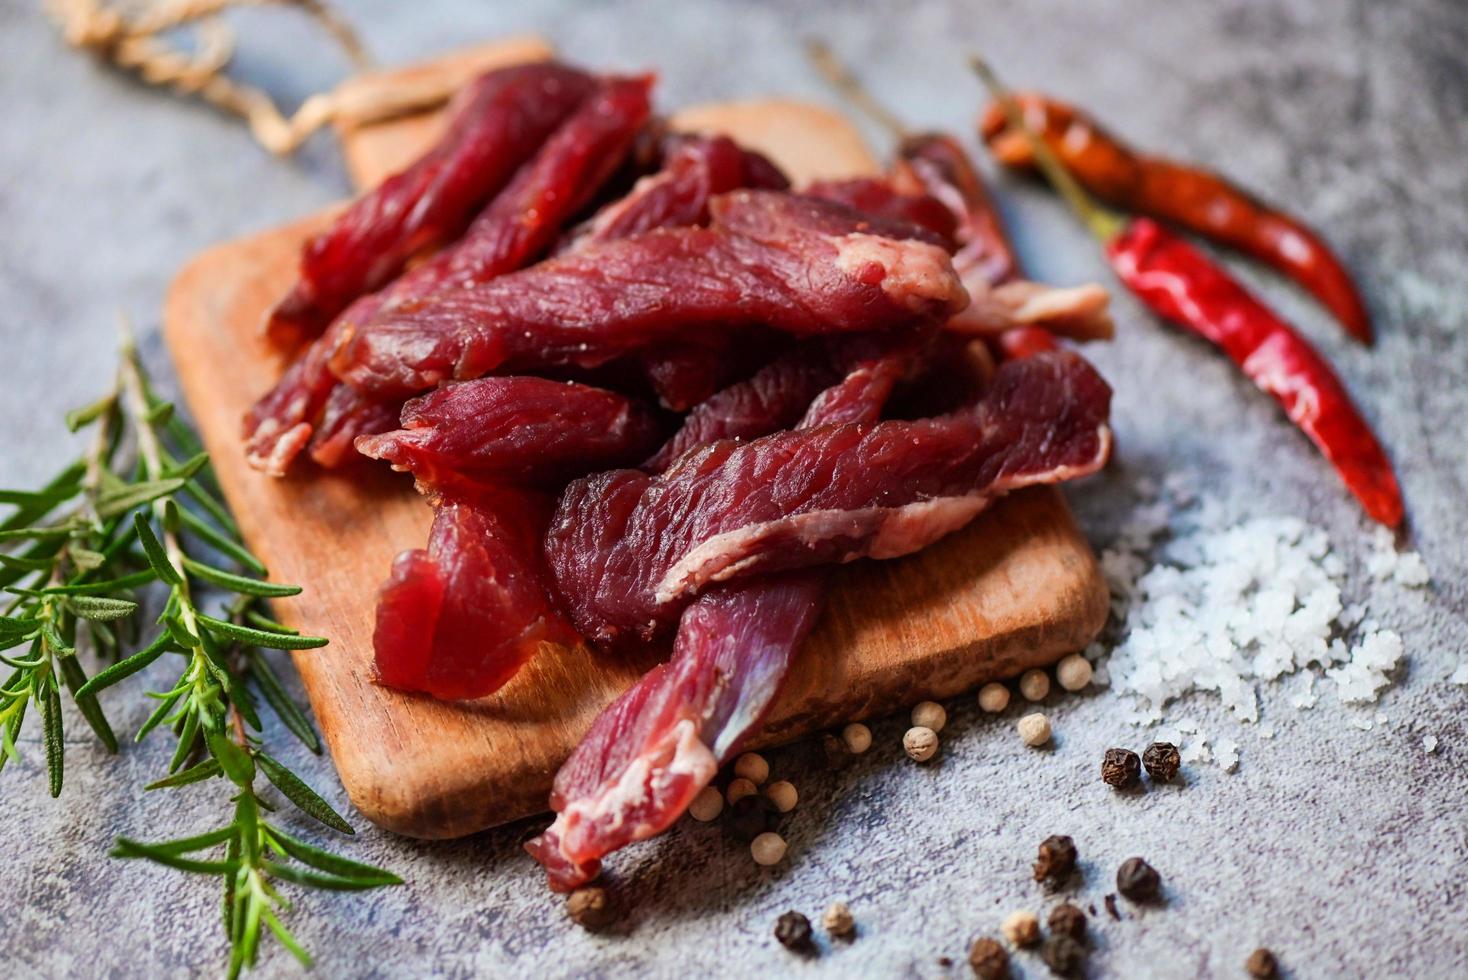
(460, 618)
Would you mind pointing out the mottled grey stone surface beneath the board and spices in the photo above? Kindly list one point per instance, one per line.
(1342, 850)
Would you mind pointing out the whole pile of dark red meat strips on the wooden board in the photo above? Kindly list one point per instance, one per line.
(653, 392)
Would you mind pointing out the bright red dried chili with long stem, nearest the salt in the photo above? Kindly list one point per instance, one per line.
(1185, 287)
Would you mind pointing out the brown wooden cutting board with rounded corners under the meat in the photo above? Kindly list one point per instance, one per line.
(1018, 589)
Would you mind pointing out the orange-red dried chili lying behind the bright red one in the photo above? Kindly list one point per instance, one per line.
(1185, 196)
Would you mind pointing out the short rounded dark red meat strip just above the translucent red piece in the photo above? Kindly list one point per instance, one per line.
(515, 429)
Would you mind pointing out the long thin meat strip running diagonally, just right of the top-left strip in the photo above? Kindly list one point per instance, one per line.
(517, 227)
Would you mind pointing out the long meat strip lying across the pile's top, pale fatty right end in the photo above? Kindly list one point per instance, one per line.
(791, 263)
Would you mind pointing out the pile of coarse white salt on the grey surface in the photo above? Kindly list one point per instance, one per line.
(1204, 607)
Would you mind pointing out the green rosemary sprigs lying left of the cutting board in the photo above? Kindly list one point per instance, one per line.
(140, 510)
